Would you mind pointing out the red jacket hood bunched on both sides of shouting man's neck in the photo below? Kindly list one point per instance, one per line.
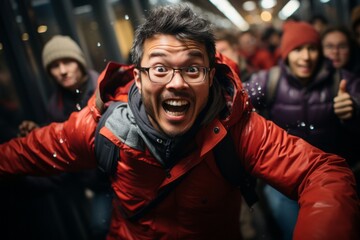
(228, 100)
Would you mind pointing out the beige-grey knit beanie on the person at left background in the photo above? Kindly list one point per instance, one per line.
(62, 47)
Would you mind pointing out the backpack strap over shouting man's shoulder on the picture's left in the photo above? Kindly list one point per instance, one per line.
(107, 153)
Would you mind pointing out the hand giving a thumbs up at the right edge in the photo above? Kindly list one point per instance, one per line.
(343, 105)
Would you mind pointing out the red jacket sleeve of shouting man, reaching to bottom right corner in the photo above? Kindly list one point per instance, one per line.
(322, 183)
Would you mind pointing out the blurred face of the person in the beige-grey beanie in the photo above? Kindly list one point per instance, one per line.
(67, 73)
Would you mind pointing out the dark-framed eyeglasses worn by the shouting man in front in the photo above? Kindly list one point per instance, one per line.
(164, 74)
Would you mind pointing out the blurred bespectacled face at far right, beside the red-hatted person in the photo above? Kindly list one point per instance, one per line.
(336, 48)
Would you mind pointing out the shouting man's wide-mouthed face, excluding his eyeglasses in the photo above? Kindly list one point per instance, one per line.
(174, 106)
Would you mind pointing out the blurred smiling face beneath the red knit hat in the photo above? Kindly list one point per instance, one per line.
(303, 61)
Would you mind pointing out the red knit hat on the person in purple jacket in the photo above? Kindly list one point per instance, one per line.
(296, 34)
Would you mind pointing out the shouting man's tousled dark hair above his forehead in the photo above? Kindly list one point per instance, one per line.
(178, 20)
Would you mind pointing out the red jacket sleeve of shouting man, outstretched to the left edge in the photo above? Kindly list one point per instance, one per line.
(58, 147)
